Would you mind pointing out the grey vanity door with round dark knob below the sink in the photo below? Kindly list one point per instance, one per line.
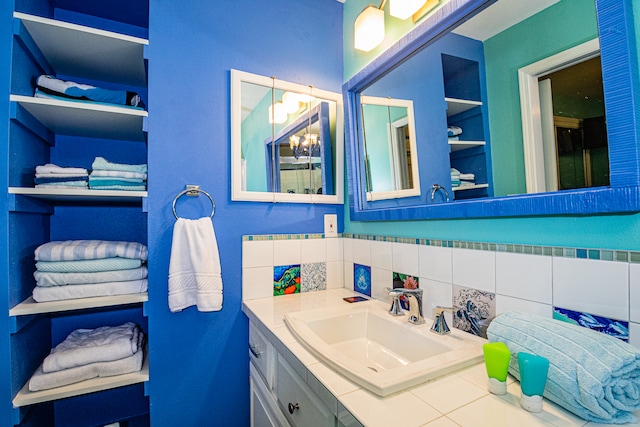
(301, 406)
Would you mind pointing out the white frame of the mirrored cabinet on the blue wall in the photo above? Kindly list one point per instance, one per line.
(237, 193)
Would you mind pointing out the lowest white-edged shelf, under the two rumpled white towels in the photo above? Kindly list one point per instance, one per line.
(26, 397)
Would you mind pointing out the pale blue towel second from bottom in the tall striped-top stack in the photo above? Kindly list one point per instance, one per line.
(53, 278)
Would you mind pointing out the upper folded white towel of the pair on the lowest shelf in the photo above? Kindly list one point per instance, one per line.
(85, 346)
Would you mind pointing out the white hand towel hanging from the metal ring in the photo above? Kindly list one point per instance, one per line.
(194, 268)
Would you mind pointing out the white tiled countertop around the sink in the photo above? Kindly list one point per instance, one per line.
(458, 399)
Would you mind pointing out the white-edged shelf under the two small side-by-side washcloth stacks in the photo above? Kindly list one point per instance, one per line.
(79, 194)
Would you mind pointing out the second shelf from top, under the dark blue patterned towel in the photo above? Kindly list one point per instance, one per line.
(85, 118)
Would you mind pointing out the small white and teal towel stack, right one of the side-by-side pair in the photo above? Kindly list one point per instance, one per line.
(106, 175)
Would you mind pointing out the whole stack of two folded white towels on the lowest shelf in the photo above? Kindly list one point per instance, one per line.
(89, 353)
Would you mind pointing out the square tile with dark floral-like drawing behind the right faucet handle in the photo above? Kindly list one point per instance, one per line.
(474, 310)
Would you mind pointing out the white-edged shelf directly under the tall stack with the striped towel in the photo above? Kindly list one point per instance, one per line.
(30, 306)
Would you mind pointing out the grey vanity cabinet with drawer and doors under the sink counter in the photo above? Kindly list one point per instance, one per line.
(284, 392)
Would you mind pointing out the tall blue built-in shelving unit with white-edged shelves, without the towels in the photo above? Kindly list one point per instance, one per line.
(70, 133)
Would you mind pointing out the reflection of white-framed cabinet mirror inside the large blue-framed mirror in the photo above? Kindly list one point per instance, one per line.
(389, 147)
